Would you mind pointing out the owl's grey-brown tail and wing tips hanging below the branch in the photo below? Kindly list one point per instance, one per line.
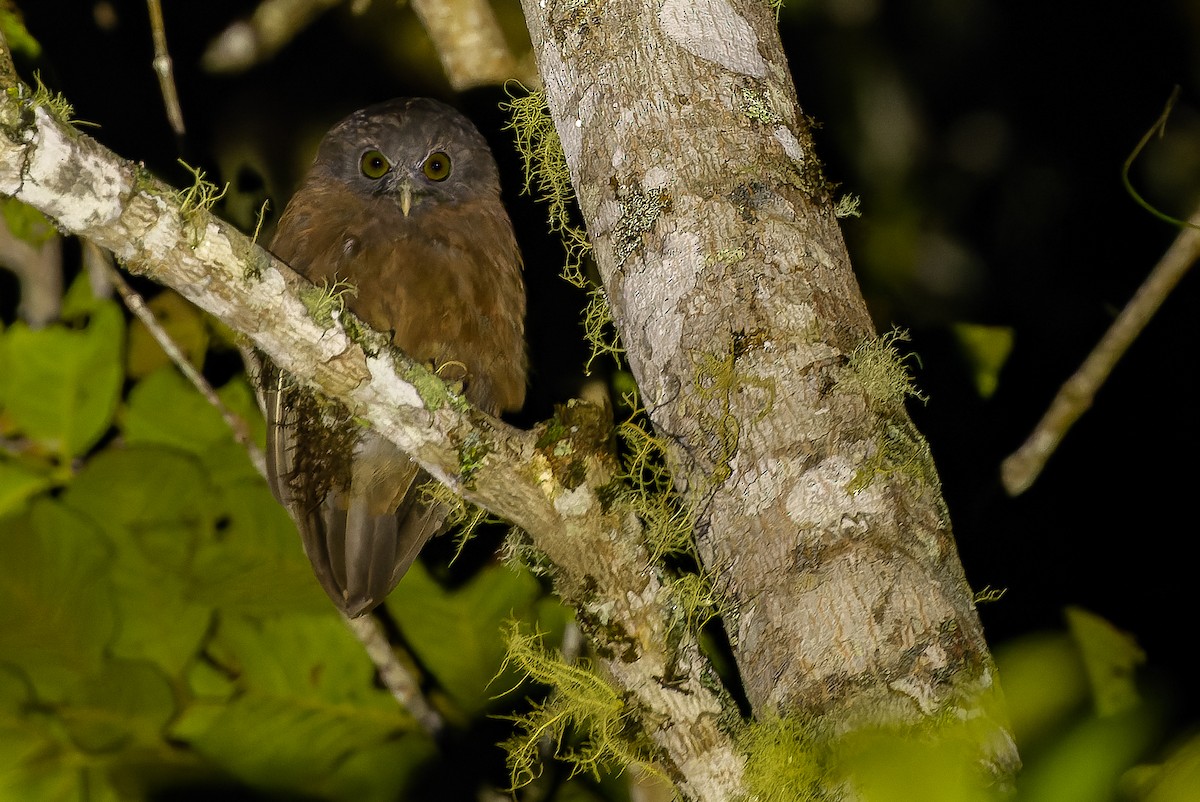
(363, 526)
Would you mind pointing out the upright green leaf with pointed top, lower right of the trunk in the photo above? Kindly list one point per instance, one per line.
(1111, 659)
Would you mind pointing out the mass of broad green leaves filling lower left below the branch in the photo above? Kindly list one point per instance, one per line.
(159, 623)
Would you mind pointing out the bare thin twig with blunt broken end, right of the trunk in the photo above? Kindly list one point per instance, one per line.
(1022, 469)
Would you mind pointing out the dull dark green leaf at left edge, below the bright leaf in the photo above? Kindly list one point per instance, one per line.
(56, 596)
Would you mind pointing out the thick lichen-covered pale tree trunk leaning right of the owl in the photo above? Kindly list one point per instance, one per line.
(819, 511)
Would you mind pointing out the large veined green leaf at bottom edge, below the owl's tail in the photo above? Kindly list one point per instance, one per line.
(307, 716)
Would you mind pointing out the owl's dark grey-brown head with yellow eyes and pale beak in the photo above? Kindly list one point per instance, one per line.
(412, 149)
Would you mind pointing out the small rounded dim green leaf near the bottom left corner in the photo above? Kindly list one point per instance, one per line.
(125, 705)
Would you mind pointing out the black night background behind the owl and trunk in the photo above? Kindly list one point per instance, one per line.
(986, 140)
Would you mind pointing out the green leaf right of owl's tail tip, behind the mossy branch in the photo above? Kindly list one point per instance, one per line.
(458, 635)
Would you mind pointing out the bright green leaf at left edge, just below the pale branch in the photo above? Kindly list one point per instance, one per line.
(62, 387)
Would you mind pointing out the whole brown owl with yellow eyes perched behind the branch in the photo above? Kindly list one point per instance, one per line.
(404, 205)
